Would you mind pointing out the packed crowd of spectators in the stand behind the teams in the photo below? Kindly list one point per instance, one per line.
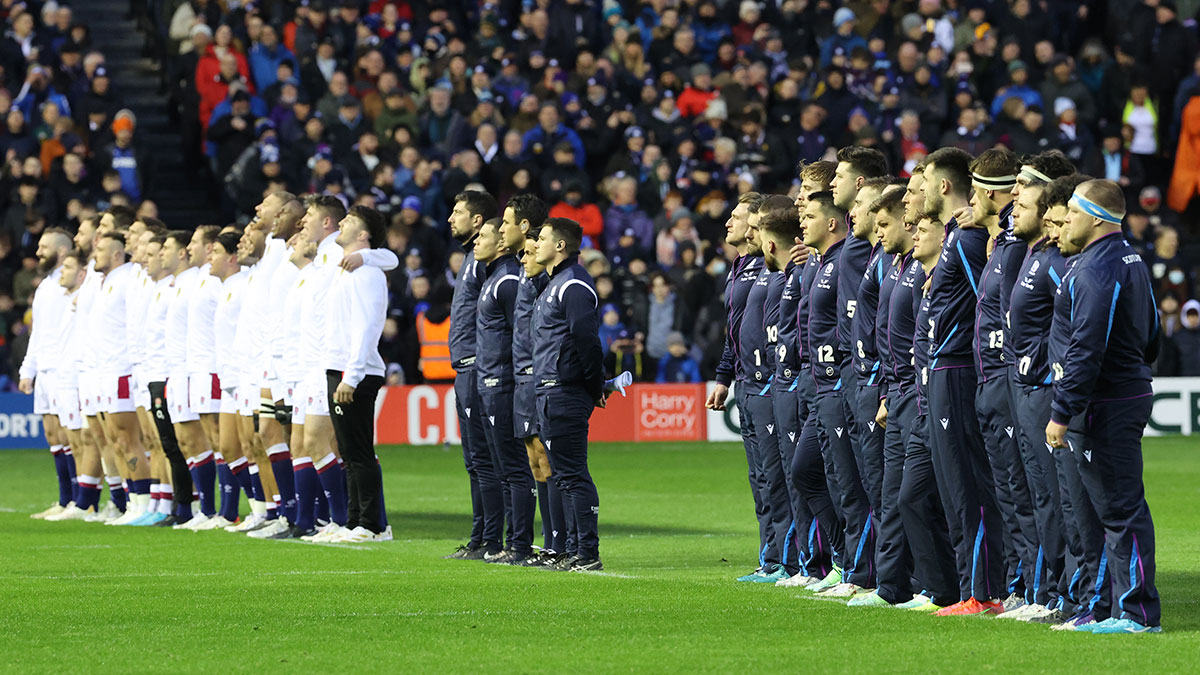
(641, 120)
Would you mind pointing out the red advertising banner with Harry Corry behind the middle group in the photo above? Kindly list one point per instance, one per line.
(425, 415)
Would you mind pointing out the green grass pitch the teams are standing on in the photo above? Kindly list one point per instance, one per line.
(677, 527)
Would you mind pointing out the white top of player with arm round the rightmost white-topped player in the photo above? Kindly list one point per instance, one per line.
(315, 314)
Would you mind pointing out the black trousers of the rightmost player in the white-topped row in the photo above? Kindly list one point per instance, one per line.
(355, 431)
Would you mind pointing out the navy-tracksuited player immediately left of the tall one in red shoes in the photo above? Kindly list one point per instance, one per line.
(922, 503)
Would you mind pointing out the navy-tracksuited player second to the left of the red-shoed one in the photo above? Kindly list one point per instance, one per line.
(895, 420)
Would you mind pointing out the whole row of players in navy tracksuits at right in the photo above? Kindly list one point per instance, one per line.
(943, 385)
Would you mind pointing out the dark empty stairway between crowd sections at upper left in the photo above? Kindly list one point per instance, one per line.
(182, 198)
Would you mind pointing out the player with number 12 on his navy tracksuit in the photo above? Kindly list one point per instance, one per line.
(825, 230)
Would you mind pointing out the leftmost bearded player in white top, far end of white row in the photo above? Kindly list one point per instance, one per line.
(43, 367)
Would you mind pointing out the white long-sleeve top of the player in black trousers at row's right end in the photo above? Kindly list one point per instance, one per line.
(357, 308)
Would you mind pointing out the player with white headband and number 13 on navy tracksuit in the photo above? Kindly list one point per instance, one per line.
(993, 177)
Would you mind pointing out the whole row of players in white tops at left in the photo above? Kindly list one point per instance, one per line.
(153, 351)
